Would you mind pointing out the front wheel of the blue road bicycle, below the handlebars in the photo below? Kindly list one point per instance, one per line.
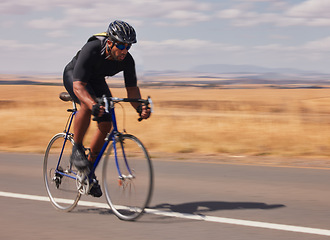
(127, 177)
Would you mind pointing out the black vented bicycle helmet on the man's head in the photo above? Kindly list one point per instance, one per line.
(122, 32)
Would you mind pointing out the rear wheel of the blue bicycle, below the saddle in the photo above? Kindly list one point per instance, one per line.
(59, 174)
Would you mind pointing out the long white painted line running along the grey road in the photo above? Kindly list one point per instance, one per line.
(247, 223)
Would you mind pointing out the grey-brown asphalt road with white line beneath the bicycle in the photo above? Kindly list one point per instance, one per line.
(191, 200)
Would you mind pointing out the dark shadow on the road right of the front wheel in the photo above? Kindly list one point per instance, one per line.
(209, 206)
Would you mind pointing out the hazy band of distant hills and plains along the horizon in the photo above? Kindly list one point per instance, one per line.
(208, 75)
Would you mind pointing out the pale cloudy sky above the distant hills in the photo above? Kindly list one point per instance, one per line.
(43, 35)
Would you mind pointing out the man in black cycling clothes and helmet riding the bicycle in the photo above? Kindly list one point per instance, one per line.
(103, 55)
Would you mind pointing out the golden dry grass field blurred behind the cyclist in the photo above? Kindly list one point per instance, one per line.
(259, 122)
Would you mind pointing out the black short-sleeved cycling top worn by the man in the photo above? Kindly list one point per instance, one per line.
(90, 65)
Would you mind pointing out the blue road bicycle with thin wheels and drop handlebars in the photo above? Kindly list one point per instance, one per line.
(127, 174)
